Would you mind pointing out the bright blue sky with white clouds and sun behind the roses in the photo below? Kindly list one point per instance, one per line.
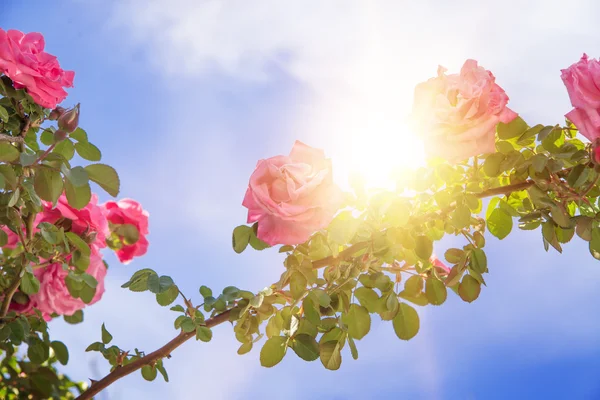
(184, 96)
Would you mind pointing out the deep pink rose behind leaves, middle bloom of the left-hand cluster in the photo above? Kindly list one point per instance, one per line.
(89, 220)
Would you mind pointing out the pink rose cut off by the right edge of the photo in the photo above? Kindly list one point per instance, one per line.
(582, 80)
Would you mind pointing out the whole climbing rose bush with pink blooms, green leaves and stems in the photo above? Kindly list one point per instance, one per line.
(345, 262)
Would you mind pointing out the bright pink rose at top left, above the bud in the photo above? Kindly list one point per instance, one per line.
(23, 59)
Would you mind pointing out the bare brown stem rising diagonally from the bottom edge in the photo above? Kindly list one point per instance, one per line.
(148, 359)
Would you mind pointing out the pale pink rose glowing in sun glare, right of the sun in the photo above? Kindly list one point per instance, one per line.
(456, 114)
